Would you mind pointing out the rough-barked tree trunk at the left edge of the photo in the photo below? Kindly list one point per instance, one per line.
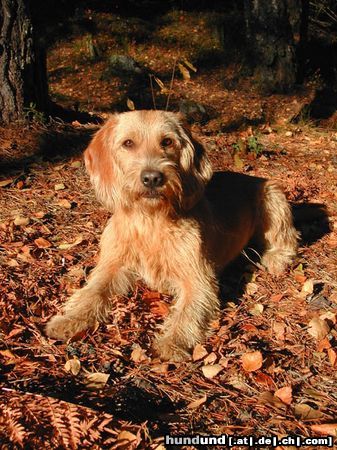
(23, 80)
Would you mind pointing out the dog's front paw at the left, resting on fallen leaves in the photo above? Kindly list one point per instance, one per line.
(65, 327)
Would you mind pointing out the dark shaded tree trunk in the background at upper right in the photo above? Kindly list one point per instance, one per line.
(270, 36)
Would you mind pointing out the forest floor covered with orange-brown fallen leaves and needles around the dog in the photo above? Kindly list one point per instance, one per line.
(269, 368)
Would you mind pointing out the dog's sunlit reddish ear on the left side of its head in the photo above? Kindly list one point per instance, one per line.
(98, 158)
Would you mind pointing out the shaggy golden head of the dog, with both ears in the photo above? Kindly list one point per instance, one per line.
(147, 159)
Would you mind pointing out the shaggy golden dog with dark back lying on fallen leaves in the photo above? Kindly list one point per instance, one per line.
(174, 224)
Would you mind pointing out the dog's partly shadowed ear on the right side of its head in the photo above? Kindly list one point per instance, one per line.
(196, 168)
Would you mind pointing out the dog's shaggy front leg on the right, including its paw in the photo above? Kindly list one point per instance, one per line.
(189, 321)
